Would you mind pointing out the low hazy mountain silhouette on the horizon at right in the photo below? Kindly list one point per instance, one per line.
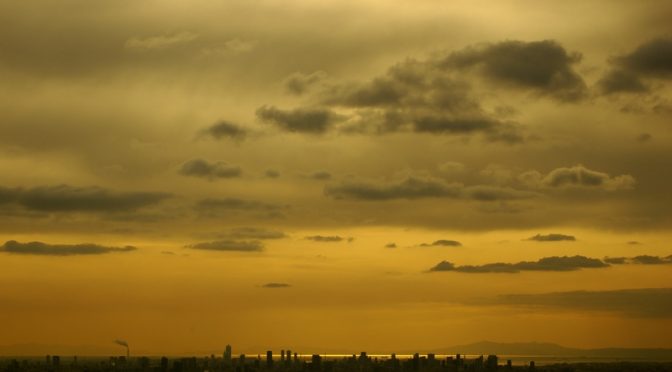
(550, 349)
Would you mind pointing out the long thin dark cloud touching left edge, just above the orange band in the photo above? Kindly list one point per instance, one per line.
(44, 249)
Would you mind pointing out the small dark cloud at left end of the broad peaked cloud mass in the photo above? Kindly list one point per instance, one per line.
(302, 120)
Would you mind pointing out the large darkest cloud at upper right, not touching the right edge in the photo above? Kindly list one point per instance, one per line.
(543, 66)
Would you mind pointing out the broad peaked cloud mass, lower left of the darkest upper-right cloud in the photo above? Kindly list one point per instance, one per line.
(418, 96)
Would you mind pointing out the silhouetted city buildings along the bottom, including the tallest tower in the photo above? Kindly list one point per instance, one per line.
(285, 361)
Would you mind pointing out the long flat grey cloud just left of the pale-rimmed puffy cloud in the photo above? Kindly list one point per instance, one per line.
(422, 187)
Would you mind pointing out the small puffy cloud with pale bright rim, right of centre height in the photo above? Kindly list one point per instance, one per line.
(578, 176)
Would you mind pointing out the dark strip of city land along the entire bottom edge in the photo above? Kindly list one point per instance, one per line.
(314, 363)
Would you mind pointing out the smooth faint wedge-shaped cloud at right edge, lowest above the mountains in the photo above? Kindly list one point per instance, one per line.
(643, 302)
